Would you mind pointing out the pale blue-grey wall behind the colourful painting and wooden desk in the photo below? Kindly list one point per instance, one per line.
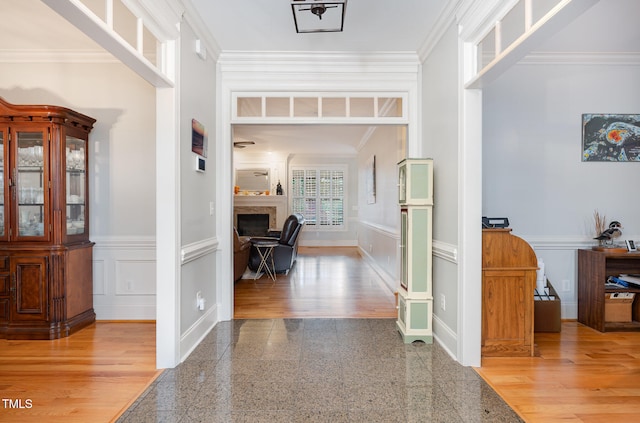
(533, 173)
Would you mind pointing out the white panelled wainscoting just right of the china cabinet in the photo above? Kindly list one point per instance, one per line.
(124, 278)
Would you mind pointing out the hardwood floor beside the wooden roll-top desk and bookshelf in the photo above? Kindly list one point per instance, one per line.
(578, 375)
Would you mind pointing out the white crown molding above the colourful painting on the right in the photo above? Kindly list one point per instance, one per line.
(582, 58)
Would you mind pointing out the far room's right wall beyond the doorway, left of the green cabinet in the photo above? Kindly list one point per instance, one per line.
(379, 223)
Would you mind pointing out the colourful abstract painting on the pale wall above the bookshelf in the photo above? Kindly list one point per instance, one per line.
(610, 137)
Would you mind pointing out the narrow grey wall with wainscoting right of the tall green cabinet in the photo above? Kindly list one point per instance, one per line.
(440, 142)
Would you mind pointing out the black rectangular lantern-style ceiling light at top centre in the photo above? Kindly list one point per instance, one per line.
(318, 15)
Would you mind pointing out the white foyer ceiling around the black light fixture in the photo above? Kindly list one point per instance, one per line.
(369, 25)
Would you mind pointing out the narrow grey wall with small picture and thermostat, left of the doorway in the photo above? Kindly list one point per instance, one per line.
(197, 195)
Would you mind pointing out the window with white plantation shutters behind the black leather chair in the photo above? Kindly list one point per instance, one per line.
(318, 194)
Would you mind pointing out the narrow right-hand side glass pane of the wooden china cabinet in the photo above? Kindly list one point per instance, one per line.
(75, 151)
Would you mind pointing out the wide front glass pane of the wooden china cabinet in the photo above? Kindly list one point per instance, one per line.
(30, 183)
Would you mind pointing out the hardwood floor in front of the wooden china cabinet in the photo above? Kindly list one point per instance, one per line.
(91, 376)
